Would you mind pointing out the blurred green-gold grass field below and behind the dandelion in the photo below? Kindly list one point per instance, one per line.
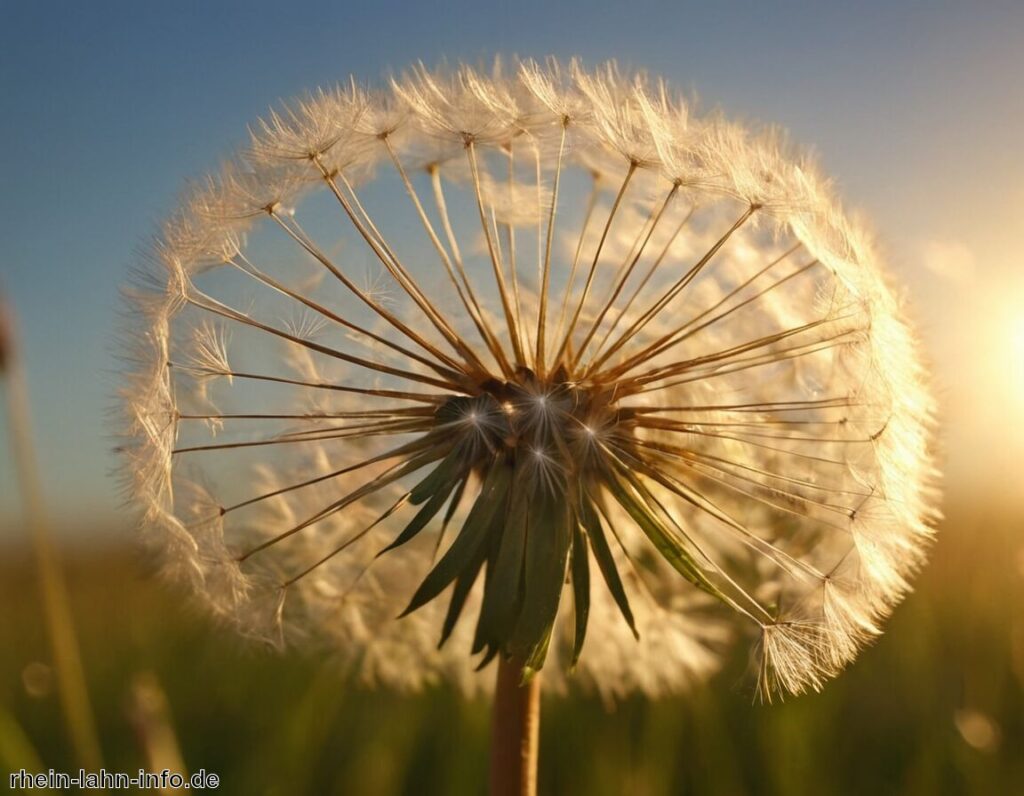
(272, 725)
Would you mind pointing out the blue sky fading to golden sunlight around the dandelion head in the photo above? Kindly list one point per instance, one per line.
(107, 109)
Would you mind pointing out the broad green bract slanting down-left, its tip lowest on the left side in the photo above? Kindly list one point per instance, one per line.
(463, 552)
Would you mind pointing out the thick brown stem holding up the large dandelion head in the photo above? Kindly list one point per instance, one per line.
(516, 727)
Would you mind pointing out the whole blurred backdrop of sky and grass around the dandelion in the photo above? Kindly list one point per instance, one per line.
(917, 111)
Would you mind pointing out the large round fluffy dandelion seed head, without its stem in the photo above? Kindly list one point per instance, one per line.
(639, 387)
